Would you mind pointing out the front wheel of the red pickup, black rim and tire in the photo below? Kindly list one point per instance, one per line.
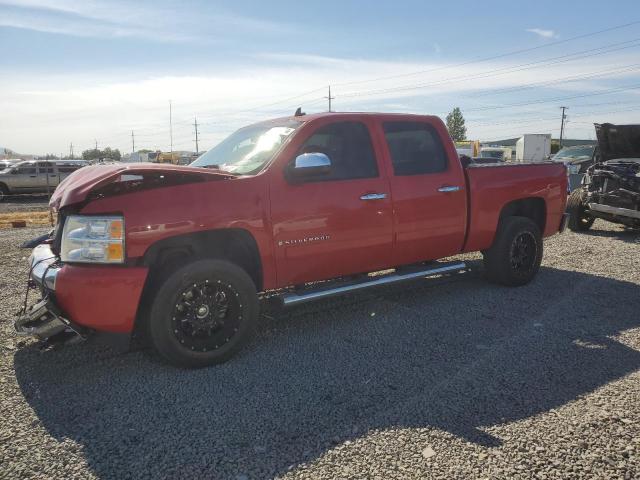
(203, 313)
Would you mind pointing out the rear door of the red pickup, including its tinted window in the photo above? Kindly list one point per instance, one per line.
(428, 191)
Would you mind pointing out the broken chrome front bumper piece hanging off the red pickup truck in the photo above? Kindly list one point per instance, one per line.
(44, 320)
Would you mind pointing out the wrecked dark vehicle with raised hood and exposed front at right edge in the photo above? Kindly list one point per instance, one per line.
(611, 187)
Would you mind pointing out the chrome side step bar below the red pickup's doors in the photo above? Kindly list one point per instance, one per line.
(293, 298)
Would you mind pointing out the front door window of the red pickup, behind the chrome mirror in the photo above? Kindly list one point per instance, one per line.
(348, 146)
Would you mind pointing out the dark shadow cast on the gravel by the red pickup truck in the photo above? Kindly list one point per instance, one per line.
(453, 355)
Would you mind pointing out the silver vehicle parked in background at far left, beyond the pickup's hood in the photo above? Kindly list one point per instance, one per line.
(35, 176)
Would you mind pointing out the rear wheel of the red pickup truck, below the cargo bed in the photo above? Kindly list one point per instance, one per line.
(515, 256)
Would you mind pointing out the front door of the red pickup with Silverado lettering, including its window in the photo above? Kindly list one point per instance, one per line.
(339, 223)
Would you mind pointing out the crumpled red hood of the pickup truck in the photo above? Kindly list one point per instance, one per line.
(77, 186)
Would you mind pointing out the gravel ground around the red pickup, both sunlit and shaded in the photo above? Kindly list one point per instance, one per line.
(446, 378)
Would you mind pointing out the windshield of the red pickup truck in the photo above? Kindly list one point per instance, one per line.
(246, 151)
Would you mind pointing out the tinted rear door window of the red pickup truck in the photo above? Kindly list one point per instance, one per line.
(415, 148)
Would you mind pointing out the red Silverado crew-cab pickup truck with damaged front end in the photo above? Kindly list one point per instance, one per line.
(297, 208)
